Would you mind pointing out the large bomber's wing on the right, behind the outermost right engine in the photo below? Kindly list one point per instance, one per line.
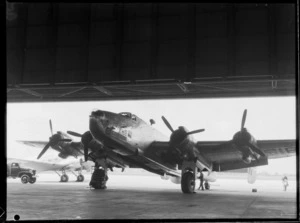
(224, 155)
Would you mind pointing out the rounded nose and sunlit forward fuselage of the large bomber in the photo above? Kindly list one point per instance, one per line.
(124, 130)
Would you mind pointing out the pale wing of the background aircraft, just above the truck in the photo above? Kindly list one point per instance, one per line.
(42, 166)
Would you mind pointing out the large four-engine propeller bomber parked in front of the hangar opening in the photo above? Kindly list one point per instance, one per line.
(124, 140)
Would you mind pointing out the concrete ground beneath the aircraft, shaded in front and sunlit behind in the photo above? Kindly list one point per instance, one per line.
(148, 197)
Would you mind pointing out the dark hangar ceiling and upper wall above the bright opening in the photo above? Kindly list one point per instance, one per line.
(106, 51)
